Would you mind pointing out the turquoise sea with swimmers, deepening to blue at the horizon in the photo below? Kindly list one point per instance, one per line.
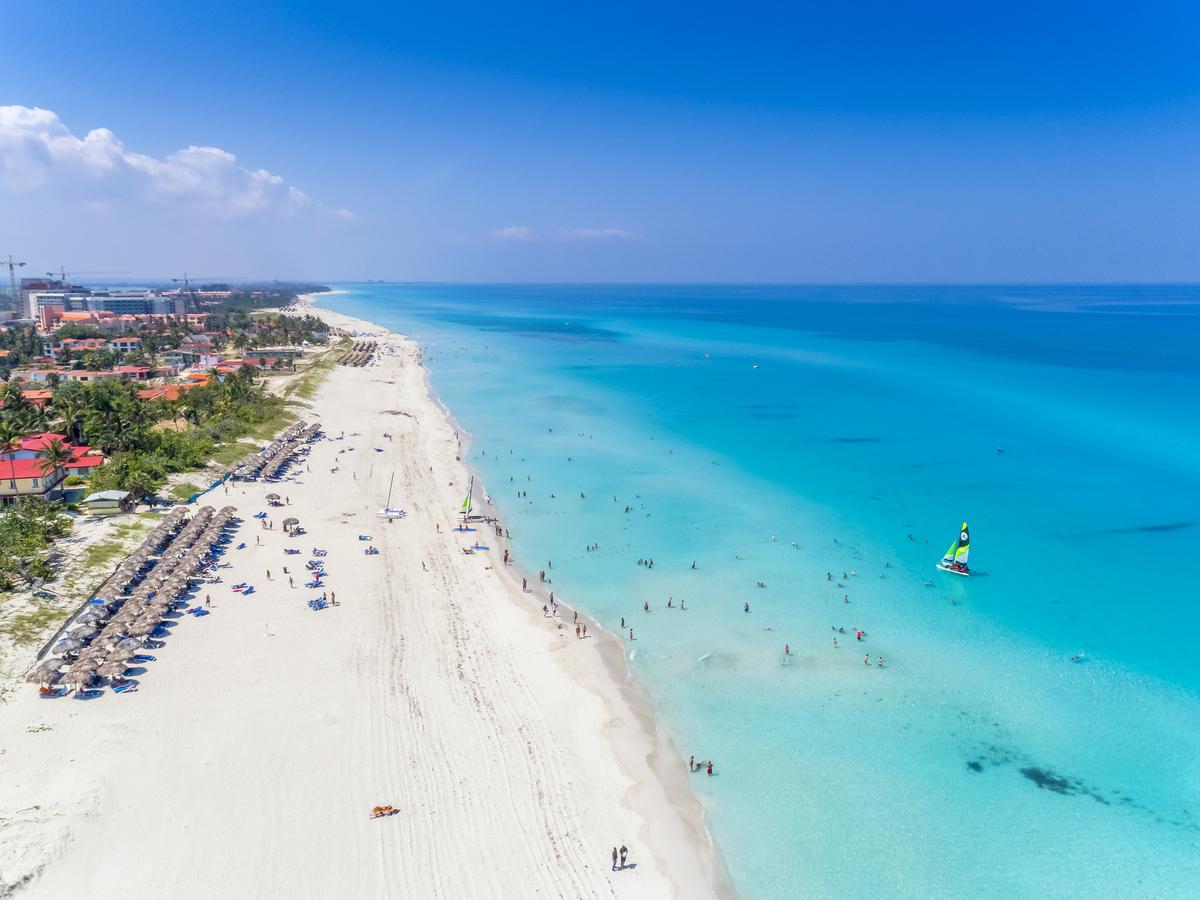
(784, 435)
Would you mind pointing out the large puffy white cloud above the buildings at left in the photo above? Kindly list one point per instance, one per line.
(39, 153)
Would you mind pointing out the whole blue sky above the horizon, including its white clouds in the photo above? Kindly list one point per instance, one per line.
(853, 142)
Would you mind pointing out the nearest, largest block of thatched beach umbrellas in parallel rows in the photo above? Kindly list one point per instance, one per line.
(111, 631)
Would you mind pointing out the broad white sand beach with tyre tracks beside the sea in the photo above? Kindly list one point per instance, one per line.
(259, 741)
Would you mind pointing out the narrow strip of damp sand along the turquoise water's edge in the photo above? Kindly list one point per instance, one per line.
(650, 746)
